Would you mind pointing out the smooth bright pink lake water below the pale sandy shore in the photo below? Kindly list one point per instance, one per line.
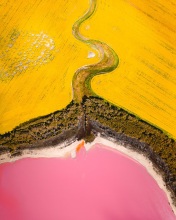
(101, 184)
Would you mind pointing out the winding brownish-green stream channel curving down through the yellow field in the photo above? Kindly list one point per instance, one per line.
(108, 60)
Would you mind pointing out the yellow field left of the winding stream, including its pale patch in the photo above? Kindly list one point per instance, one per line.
(37, 48)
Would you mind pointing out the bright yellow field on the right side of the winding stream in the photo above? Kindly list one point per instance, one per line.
(143, 34)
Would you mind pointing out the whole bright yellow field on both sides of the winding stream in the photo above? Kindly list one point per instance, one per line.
(141, 32)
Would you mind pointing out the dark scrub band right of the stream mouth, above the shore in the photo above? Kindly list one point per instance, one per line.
(130, 131)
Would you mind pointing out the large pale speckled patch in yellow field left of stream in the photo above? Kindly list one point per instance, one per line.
(35, 50)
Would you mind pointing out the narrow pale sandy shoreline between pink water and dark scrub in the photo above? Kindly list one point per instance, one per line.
(64, 150)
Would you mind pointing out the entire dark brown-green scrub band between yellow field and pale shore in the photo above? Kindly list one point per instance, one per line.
(85, 121)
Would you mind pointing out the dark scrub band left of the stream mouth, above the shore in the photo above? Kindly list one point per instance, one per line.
(50, 130)
